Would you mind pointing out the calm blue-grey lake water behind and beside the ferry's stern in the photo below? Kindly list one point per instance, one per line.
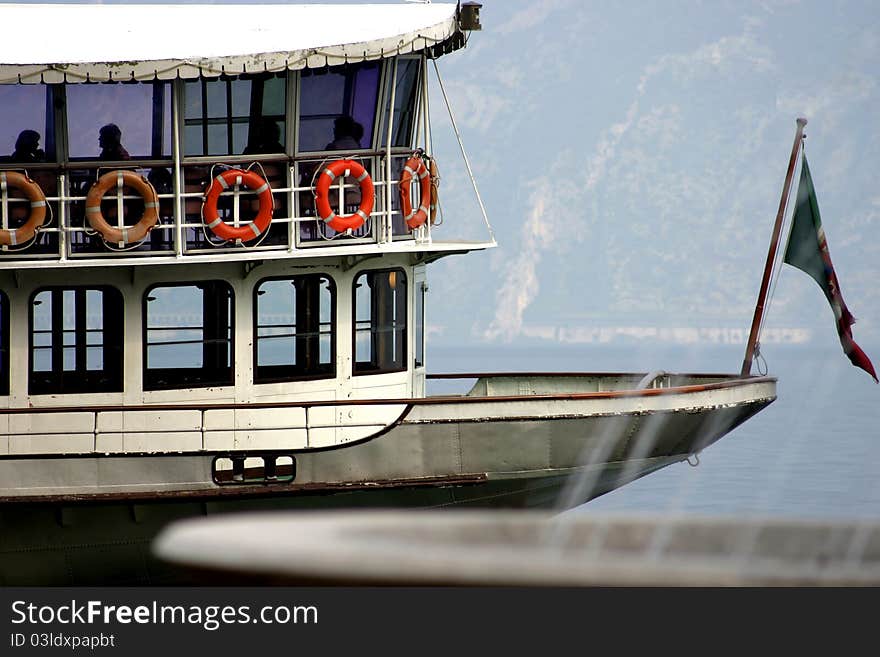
(814, 452)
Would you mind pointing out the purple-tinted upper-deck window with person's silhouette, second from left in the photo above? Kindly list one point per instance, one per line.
(119, 121)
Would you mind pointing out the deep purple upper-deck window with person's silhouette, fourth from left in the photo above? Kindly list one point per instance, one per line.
(338, 107)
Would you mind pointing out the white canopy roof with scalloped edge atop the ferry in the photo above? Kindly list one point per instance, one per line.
(75, 43)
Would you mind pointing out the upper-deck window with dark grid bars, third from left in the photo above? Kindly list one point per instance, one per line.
(245, 115)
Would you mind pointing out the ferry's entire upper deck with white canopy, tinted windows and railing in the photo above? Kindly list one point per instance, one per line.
(111, 141)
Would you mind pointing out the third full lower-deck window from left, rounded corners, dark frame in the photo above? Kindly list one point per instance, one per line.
(295, 328)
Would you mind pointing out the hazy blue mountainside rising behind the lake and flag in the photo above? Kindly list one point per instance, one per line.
(627, 175)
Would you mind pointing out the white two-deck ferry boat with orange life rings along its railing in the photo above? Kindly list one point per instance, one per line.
(215, 228)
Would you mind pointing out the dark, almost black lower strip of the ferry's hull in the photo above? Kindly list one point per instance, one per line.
(90, 543)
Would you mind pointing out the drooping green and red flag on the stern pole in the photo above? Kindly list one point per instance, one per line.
(808, 251)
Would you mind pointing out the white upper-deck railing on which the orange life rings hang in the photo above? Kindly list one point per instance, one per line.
(181, 231)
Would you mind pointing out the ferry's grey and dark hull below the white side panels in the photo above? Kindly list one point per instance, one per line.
(91, 520)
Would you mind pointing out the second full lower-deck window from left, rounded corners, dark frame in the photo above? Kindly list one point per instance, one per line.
(188, 335)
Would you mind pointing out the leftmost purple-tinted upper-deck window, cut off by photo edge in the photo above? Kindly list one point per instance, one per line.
(26, 123)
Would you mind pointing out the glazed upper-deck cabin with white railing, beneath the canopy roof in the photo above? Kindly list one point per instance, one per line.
(180, 135)
